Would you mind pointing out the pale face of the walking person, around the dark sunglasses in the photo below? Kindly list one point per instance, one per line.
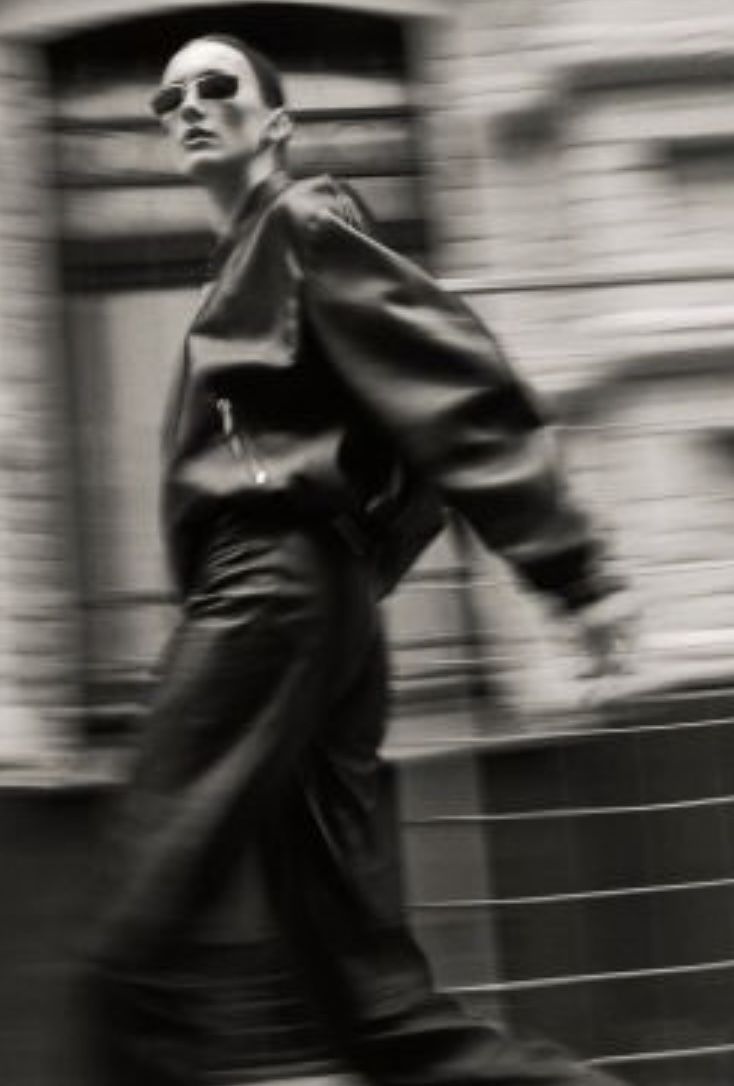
(213, 136)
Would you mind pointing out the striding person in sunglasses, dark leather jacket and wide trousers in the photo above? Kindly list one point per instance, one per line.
(330, 400)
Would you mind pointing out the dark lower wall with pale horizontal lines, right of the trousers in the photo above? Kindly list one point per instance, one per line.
(609, 887)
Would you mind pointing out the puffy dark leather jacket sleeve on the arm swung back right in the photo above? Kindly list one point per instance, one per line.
(437, 381)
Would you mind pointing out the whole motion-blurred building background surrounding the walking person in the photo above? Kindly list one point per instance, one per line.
(568, 168)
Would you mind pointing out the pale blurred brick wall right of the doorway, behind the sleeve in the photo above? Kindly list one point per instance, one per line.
(580, 158)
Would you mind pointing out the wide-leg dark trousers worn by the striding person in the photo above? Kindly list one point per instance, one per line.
(260, 804)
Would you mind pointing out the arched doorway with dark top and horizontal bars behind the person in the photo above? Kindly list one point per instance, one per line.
(134, 245)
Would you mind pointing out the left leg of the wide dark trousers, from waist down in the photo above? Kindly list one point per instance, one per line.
(241, 701)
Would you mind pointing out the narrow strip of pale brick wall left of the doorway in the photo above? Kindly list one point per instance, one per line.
(39, 652)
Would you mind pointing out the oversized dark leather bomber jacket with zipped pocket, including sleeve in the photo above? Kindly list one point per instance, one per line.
(328, 381)
